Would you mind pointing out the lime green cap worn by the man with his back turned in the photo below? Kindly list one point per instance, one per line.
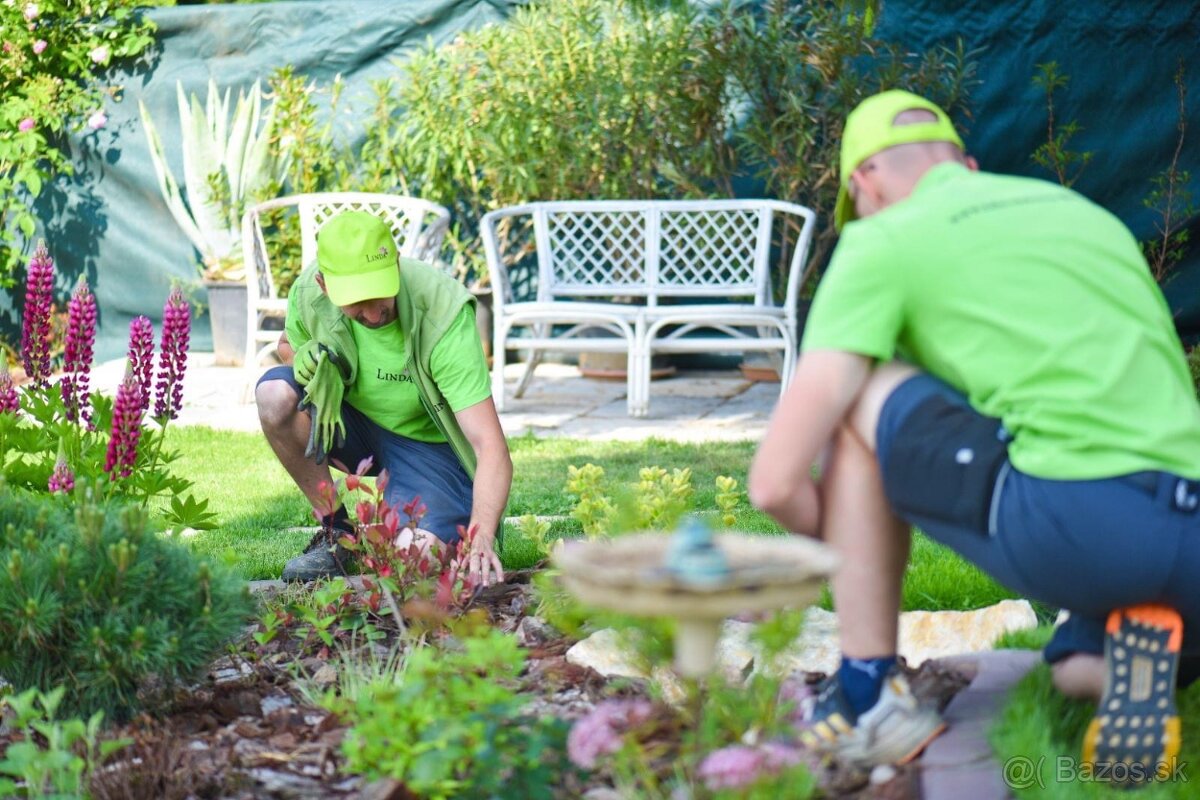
(872, 128)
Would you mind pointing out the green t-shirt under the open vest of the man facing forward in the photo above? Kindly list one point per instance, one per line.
(386, 393)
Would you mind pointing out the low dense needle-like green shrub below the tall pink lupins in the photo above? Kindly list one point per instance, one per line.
(97, 603)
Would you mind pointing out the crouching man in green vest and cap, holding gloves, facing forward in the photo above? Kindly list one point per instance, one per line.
(387, 353)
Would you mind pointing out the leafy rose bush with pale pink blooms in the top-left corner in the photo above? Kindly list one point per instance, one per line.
(55, 57)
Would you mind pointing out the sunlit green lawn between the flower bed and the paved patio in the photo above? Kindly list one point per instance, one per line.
(256, 503)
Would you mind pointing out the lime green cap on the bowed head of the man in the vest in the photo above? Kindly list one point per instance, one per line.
(357, 256)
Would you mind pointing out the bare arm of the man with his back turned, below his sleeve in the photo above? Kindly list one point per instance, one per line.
(824, 390)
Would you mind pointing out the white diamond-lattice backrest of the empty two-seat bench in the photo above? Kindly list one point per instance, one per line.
(651, 250)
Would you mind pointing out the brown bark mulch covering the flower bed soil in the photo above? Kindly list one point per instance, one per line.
(245, 731)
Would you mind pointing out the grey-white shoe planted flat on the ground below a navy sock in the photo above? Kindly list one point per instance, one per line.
(895, 731)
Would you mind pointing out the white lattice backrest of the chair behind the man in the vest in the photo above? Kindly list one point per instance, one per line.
(418, 226)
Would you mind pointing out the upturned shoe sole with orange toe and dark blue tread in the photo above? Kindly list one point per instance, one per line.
(1135, 737)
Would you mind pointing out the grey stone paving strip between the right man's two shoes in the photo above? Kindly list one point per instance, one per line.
(961, 762)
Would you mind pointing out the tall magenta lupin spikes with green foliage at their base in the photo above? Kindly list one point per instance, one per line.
(55, 431)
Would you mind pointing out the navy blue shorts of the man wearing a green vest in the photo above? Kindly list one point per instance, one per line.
(415, 468)
